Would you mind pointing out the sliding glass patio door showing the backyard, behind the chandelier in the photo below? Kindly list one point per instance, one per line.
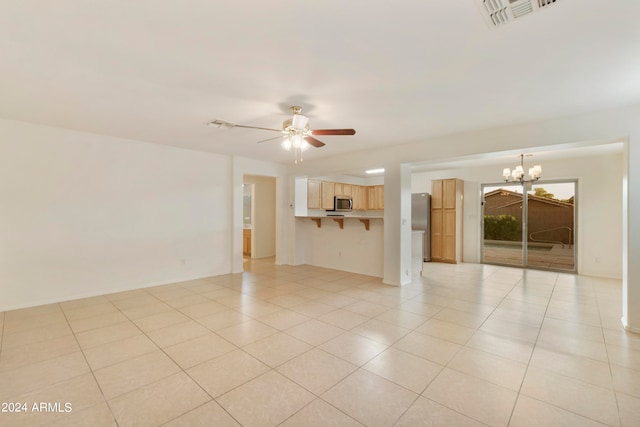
(545, 219)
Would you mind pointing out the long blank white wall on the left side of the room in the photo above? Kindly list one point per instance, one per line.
(84, 214)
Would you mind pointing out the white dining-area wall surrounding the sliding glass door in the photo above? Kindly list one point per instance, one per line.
(599, 207)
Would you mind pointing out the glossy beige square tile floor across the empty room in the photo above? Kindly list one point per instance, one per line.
(300, 346)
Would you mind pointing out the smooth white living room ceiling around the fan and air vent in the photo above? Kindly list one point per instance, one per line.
(397, 72)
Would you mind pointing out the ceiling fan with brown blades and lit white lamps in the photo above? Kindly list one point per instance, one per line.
(296, 132)
